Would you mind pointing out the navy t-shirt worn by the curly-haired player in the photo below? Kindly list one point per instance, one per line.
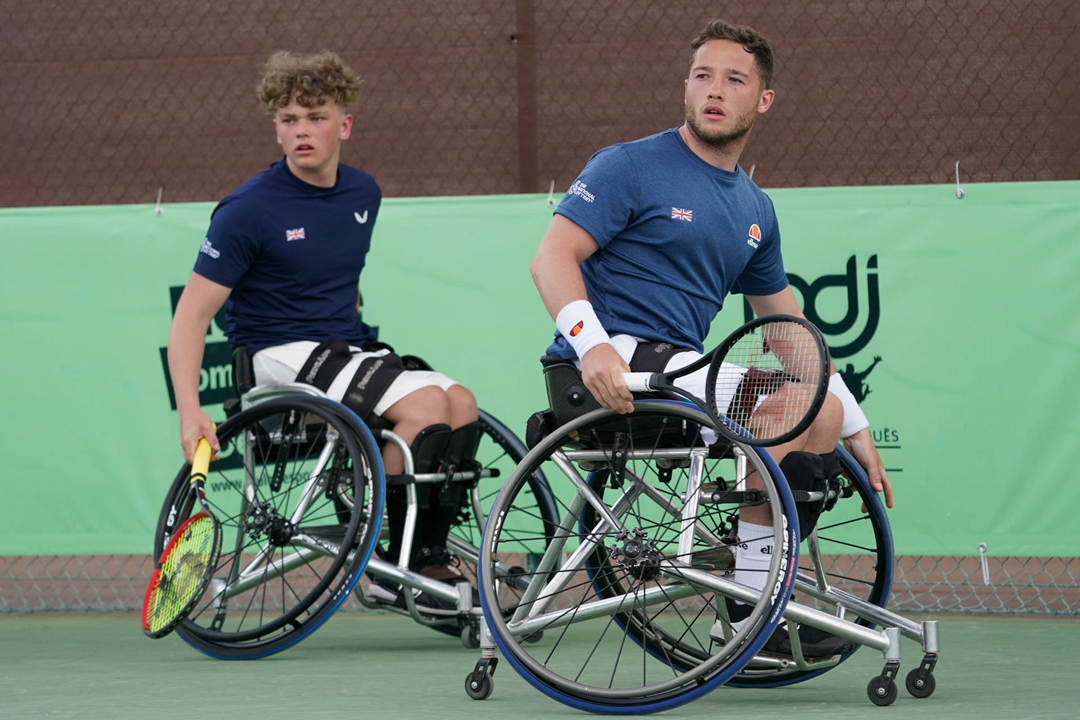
(292, 253)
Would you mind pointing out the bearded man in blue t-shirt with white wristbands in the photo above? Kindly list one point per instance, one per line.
(653, 237)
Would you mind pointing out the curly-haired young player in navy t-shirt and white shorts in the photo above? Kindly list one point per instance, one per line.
(286, 252)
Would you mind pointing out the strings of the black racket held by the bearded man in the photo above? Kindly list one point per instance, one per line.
(768, 382)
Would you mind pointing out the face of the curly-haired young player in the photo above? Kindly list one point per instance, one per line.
(312, 138)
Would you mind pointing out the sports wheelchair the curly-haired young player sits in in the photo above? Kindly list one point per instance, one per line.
(301, 493)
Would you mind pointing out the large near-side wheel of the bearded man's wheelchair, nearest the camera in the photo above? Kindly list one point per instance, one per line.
(582, 663)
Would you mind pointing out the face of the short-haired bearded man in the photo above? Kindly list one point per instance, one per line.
(724, 94)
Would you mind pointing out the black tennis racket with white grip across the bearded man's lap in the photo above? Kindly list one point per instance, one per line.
(765, 383)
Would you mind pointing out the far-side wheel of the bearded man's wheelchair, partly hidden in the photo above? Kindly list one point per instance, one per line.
(856, 555)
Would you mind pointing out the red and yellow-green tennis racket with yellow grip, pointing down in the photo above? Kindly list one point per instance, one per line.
(188, 562)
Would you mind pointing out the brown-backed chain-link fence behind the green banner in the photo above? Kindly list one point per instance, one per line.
(109, 102)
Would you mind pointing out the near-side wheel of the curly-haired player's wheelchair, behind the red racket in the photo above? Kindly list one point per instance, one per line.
(299, 491)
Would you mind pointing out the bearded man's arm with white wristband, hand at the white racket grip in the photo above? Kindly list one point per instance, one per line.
(557, 271)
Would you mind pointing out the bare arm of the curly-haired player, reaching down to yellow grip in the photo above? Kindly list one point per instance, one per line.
(187, 342)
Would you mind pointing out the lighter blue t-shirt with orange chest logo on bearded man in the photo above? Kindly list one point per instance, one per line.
(676, 235)
